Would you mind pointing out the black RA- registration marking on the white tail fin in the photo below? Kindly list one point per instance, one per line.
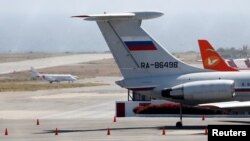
(157, 65)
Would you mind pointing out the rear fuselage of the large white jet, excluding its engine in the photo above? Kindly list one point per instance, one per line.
(241, 84)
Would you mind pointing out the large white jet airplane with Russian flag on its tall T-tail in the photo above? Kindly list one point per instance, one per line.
(150, 69)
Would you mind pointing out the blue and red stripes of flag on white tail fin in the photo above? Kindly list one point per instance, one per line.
(140, 45)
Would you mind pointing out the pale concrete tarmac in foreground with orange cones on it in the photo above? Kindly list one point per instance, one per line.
(86, 113)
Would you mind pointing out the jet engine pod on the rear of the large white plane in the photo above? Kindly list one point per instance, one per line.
(209, 90)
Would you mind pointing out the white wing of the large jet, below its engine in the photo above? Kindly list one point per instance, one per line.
(226, 105)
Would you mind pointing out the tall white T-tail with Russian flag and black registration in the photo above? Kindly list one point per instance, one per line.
(135, 51)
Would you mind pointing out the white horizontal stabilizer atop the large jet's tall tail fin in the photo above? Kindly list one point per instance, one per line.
(120, 16)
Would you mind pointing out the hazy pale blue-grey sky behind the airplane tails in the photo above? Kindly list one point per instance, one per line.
(46, 26)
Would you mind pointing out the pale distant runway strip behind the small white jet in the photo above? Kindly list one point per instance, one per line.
(51, 62)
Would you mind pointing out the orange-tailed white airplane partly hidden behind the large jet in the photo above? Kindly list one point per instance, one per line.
(212, 60)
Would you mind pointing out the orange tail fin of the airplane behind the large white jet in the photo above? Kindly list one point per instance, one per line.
(211, 58)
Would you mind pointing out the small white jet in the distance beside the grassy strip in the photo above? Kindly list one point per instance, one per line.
(53, 77)
